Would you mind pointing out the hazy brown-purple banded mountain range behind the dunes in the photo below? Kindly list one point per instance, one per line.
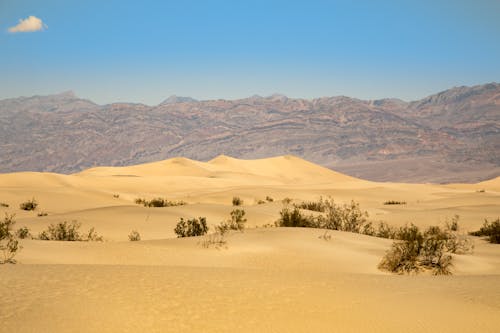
(452, 136)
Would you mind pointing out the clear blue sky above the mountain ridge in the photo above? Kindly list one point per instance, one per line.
(144, 51)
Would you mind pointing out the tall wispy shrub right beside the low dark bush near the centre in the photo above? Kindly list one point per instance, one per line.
(347, 217)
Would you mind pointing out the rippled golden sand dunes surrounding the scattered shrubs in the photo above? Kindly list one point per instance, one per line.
(265, 279)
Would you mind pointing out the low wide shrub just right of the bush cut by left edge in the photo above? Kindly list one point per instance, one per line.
(68, 231)
